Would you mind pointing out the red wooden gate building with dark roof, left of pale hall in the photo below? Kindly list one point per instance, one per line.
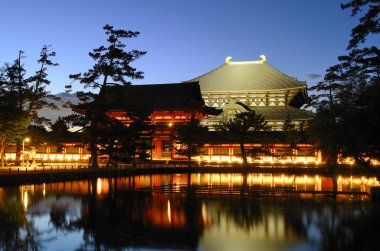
(169, 104)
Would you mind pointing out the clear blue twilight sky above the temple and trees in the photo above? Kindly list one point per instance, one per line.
(183, 38)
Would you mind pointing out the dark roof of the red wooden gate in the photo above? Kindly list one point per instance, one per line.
(177, 96)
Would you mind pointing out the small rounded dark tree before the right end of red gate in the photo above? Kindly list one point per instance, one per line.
(190, 137)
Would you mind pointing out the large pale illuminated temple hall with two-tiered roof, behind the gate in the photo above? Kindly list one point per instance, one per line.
(237, 86)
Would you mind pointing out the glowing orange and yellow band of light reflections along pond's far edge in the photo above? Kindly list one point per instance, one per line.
(144, 183)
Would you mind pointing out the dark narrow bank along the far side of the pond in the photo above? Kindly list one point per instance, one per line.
(53, 175)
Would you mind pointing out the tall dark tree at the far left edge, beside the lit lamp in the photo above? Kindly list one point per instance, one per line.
(22, 97)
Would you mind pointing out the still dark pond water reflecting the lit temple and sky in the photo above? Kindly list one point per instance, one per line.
(124, 214)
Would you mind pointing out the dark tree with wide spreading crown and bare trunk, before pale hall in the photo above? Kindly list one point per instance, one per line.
(242, 128)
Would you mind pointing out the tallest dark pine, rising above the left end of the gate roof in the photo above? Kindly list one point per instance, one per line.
(111, 63)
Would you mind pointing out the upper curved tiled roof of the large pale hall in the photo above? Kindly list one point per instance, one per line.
(246, 76)
